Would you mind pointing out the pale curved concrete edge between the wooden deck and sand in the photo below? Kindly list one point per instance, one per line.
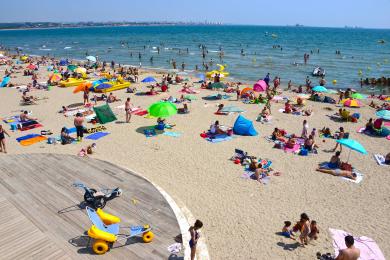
(183, 216)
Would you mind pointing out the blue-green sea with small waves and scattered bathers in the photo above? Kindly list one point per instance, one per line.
(361, 53)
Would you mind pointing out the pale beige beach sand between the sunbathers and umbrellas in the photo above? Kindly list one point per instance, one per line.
(241, 217)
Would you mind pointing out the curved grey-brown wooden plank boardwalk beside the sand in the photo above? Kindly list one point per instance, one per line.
(41, 217)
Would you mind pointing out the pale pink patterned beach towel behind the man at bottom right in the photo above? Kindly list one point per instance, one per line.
(369, 250)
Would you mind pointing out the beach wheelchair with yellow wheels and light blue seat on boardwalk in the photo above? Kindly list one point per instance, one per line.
(105, 231)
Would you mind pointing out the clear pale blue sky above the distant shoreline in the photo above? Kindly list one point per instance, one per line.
(326, 13)
